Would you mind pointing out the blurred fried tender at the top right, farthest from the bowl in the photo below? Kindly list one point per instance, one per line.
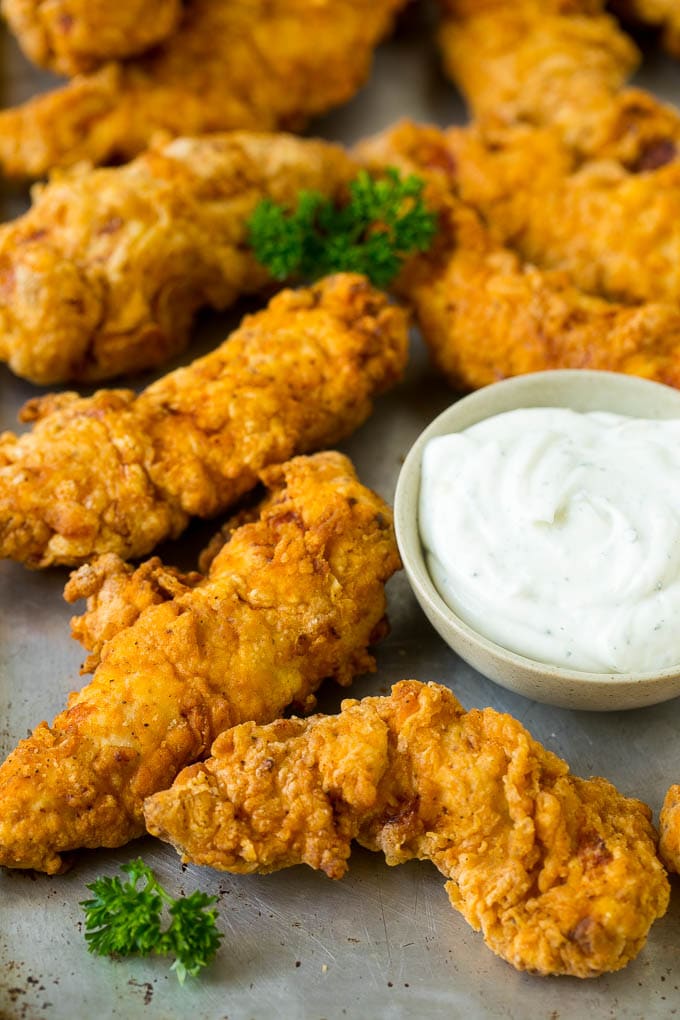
(561, 64)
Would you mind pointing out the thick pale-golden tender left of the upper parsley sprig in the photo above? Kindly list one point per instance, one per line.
(104, 275)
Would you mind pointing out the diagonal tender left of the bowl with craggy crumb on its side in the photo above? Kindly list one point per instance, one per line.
(295, 597)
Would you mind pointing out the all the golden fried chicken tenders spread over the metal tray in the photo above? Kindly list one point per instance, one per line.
(558, 246)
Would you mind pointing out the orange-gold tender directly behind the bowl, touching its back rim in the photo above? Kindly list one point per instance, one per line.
(486, 316)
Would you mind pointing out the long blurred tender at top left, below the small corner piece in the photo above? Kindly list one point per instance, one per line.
(259, 65)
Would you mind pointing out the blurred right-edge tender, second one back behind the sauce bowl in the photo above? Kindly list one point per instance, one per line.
(616, 232)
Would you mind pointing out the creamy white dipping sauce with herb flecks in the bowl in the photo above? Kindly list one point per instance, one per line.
(557, 535)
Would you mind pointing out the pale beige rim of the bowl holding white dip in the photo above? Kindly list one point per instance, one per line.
(407, 522)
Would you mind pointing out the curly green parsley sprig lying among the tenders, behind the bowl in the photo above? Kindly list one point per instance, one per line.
(384, 222)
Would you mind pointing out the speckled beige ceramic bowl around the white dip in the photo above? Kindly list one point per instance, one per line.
(582, 391)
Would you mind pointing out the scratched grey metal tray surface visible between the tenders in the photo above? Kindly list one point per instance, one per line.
(384, 944)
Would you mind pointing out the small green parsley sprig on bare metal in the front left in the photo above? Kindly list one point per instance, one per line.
(123, 920)
